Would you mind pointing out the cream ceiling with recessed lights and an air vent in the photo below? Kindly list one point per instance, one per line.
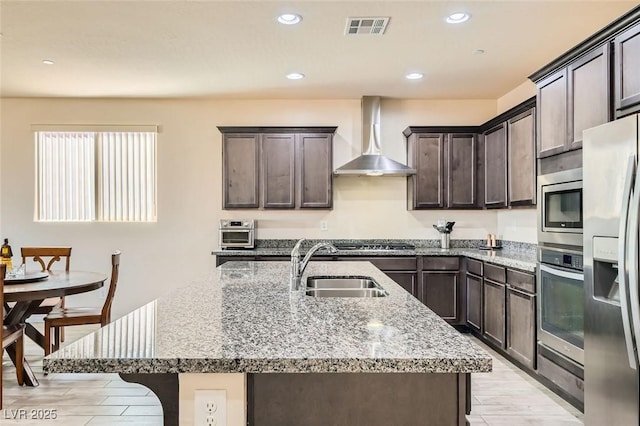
(236, 49)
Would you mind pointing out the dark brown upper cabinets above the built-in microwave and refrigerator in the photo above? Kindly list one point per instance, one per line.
(600, 76)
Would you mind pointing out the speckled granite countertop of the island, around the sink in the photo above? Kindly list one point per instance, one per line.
(243, 318)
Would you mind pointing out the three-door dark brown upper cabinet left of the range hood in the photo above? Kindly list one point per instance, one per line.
(277, 167)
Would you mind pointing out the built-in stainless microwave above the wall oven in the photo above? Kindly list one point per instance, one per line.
(560, 214)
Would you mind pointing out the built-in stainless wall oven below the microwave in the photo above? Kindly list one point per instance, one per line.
(561, 302)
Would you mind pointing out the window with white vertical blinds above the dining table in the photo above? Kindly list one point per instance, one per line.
(105, 174)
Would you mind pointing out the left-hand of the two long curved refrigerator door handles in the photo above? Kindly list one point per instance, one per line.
(622, 261)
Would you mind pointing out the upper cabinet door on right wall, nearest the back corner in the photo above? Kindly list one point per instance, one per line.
(495, 167)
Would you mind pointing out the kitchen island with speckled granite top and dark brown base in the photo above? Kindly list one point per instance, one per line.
(296, 359)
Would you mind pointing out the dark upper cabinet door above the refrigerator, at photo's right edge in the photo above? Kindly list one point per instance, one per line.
(627, 64)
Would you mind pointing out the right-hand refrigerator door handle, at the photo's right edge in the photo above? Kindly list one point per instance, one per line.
(632, 259)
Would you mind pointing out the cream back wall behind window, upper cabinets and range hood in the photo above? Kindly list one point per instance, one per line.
(158, 257)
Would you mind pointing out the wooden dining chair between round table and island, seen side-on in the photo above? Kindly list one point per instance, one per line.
(62, 317)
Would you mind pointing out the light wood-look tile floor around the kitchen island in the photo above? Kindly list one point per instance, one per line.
(505, 397)
